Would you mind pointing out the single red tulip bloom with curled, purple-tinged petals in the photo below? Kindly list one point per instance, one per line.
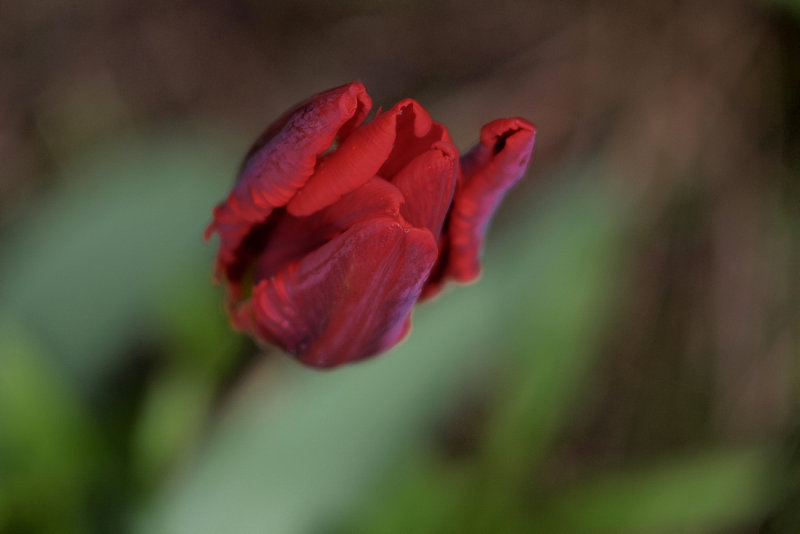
(336, 227)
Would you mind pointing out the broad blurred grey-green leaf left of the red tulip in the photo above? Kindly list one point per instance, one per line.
(78, 270)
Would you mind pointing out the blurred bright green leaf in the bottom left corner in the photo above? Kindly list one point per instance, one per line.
(46, 445)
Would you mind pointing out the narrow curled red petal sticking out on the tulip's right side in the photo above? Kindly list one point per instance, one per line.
(488, 172)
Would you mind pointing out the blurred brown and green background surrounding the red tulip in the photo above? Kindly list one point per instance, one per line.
(627, 364)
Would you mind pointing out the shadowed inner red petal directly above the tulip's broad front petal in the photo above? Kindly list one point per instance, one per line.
(293, 237)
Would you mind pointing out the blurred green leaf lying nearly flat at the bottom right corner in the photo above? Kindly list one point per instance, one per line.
(708, 492)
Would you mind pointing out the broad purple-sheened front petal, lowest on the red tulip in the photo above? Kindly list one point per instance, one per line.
(339, 303)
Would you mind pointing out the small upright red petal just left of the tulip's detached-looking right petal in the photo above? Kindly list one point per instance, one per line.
(428, 183)
